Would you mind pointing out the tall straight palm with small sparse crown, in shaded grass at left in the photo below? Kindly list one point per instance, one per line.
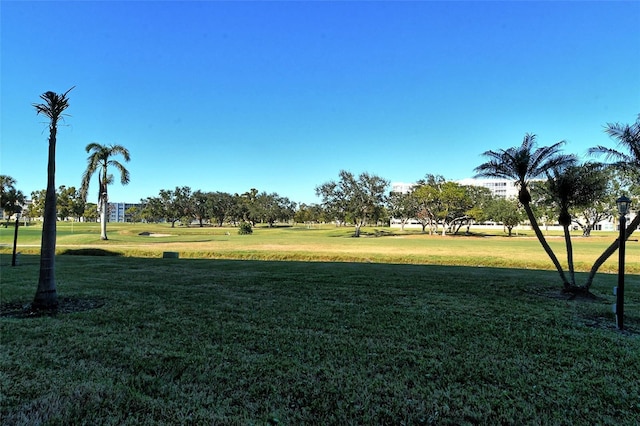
(46, 296)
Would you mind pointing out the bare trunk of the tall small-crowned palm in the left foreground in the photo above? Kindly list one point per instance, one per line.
(46, 295)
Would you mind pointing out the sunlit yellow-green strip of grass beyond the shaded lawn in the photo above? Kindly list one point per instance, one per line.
(325, 243)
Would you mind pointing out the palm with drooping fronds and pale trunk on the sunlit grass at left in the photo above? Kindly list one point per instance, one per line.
(99, 160)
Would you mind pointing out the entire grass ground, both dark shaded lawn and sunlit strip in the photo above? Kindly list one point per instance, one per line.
(405, 329)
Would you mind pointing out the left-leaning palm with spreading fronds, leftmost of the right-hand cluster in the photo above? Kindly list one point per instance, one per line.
(524, 163)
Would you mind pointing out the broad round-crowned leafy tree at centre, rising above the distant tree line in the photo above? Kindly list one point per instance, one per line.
(357, 200)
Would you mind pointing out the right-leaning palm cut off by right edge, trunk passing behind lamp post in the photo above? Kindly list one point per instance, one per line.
(628, 138)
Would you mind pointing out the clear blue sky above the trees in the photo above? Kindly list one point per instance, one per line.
(280, 96)
